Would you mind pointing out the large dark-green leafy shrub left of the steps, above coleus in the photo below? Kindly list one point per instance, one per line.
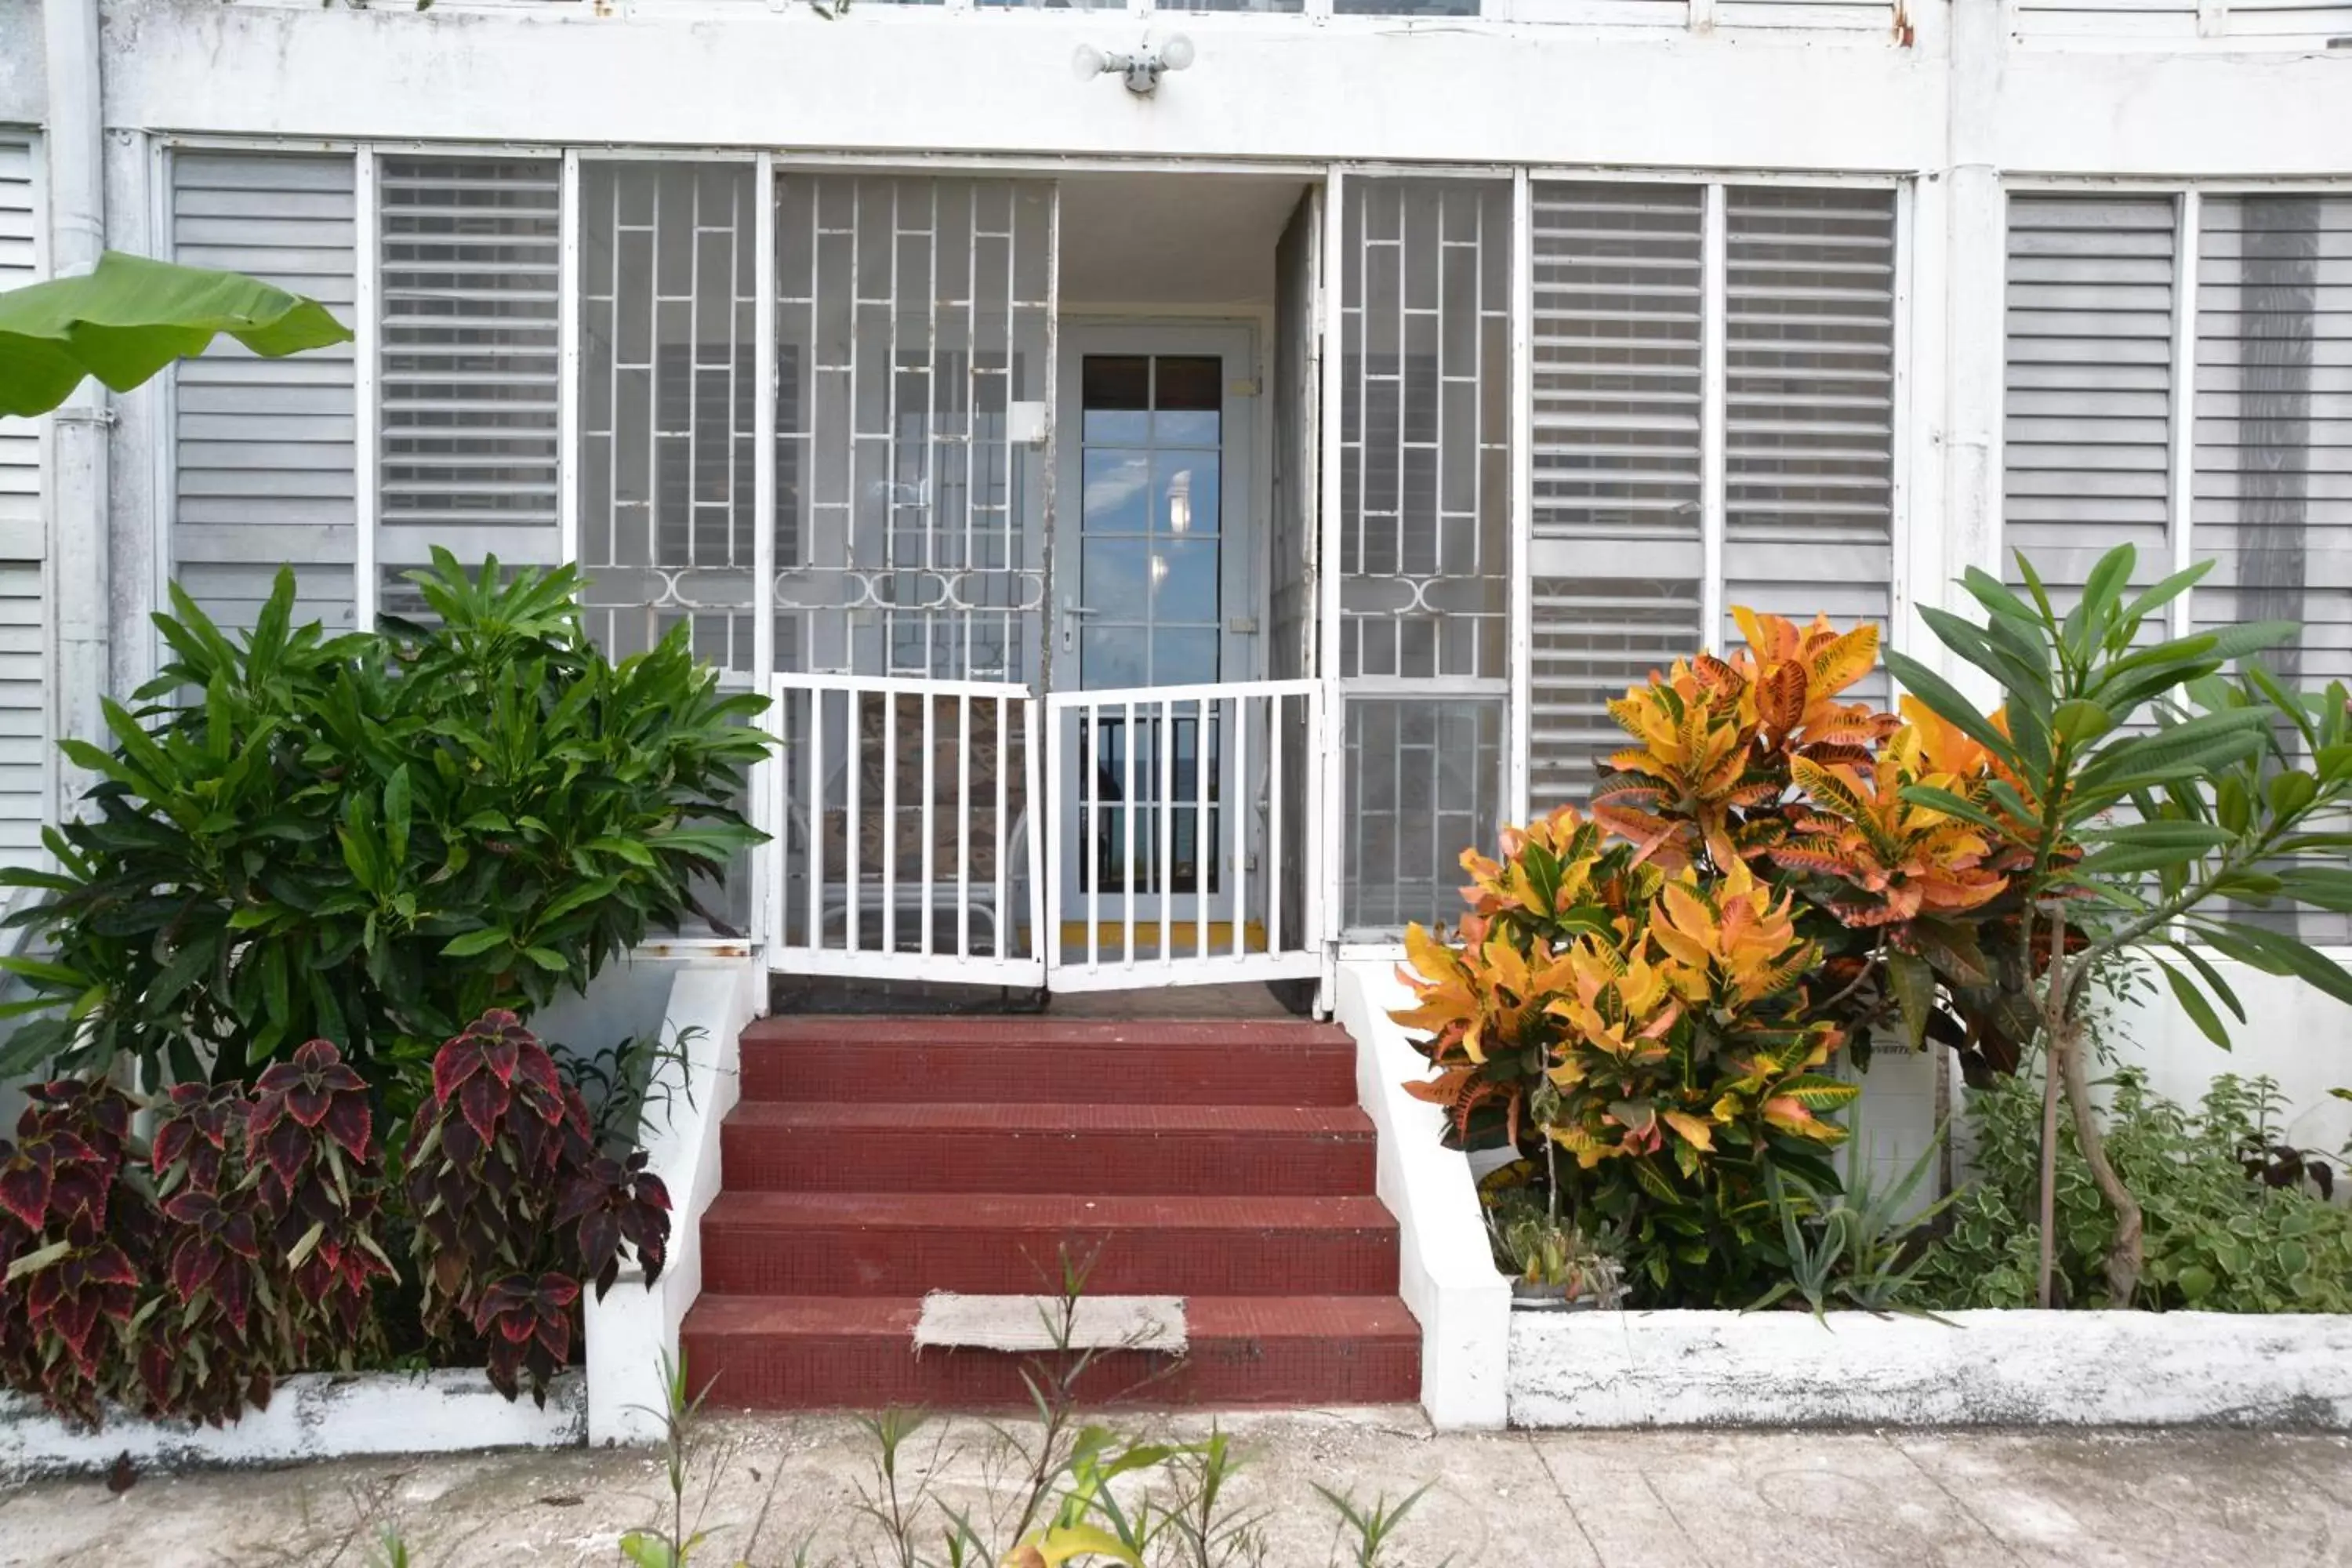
(375, 838)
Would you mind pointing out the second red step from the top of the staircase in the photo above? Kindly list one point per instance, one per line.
(784, 1146)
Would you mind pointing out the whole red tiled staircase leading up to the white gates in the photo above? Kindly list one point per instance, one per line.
(874, 1160)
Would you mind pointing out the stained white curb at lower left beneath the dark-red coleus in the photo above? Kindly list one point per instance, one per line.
(312, 1416)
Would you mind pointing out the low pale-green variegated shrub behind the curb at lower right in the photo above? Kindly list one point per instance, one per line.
(2219, 1238)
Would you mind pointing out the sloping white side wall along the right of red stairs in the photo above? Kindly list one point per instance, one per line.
(1448, 1273)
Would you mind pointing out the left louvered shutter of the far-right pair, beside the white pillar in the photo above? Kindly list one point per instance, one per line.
(2090, 384)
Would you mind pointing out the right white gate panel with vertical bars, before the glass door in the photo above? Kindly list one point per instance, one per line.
(1184, 859)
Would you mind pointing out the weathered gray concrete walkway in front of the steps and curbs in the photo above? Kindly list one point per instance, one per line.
(1504, 1501)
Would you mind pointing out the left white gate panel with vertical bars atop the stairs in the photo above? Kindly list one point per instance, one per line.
(904, 838)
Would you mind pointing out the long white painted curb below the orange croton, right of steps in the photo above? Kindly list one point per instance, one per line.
(2007, 1369)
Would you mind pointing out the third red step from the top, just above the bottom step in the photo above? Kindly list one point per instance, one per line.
(1013, 1245)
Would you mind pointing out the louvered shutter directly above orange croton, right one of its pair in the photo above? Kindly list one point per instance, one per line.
(1810, 373)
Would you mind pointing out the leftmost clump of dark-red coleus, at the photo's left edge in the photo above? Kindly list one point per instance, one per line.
(185, 1278)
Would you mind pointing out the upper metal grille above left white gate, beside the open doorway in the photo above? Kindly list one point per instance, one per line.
(914, 323)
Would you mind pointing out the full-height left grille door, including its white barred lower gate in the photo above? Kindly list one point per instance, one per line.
(914, 455)
